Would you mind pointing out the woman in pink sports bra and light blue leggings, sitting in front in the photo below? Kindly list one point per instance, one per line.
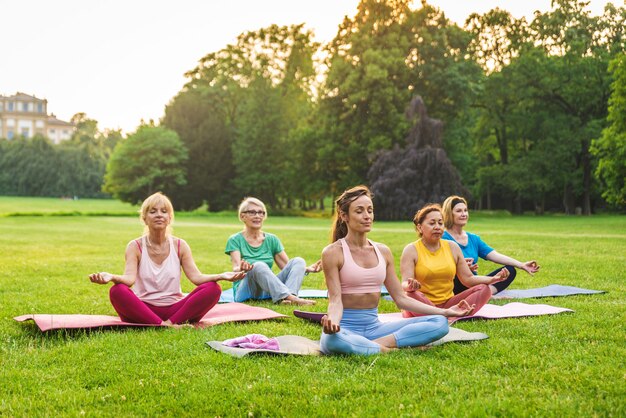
(354, 269)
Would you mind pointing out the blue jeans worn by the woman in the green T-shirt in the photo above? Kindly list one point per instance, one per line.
(262, 283)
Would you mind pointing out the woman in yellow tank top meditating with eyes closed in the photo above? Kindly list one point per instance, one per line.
(429, 265)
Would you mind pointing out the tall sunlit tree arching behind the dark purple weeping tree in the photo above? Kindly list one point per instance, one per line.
(379, 60)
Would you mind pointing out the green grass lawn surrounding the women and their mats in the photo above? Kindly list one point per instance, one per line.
(563, 365)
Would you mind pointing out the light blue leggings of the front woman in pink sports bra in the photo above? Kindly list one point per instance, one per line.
(360, 326)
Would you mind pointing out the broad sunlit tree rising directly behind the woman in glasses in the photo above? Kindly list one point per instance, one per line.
(261, 87)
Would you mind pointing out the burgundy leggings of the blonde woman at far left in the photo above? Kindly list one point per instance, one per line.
(189, 309)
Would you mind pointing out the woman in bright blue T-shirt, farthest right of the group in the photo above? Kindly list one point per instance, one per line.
(455, 217)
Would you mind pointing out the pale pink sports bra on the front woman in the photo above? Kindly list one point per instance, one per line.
(357, 279)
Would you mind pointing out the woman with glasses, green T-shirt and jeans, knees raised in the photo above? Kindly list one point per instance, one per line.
(255, 251)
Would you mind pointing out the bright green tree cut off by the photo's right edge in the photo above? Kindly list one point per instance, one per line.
(610, 148)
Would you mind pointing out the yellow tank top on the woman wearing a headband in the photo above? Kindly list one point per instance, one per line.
(435, 271)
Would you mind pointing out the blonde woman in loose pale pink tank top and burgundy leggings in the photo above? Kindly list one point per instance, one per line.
(149, 291)
